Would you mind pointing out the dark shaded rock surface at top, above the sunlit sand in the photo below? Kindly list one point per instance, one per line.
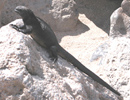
(98, 11)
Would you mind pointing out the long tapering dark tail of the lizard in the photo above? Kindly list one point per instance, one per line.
(82, 68)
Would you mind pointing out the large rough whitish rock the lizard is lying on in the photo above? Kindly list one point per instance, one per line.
(26, 73)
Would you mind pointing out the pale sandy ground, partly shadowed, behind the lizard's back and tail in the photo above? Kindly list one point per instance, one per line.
(83, 41)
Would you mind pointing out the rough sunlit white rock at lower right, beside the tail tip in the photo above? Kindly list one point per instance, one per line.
(116, 64)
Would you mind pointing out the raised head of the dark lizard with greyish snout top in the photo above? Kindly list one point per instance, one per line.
(24, 12)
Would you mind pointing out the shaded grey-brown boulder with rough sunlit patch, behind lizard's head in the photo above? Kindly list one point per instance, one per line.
(60, 14)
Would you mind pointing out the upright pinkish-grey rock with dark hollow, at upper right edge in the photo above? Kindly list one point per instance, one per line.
(120, 21)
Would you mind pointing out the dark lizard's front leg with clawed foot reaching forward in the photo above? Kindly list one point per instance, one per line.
(26, 29)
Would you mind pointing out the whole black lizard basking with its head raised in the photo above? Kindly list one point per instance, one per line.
(41, 32)
